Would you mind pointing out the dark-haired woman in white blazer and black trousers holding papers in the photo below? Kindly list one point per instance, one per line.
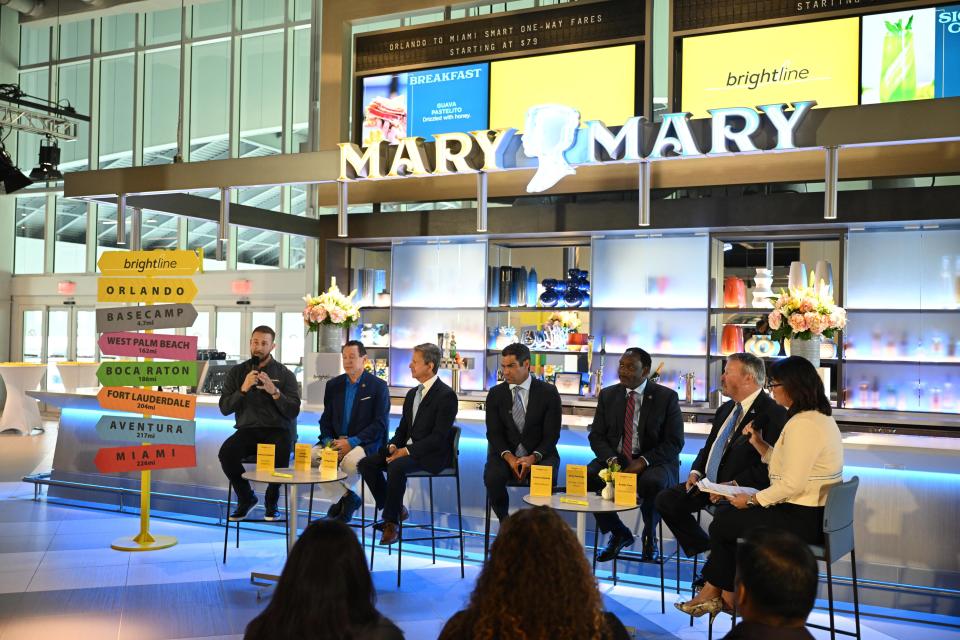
(805, 461)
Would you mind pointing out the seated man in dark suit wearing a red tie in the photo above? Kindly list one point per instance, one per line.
(638, 424)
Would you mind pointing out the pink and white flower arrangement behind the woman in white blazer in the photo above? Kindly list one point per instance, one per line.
(805, 312)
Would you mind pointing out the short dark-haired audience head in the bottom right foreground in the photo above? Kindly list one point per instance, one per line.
(776, 581)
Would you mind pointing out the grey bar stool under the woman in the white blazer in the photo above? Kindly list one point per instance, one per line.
(837, 542)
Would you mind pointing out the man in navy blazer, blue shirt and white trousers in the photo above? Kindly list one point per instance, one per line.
(356, 413)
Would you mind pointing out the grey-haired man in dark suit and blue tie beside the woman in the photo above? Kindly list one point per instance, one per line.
(725, 456)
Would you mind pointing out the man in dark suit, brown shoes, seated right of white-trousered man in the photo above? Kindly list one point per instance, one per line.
(422, 442)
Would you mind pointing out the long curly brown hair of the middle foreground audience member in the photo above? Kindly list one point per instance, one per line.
(537, 585)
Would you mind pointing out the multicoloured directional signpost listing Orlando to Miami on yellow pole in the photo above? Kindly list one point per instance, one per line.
(147, 277)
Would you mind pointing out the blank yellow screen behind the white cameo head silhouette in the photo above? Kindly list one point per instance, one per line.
(600, 83)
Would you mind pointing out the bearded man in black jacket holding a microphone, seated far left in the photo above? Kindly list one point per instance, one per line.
(264, 396)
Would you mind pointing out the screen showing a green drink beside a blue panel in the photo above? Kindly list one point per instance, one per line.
(911, 55)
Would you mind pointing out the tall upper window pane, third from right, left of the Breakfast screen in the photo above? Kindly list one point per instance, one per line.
(210, 101)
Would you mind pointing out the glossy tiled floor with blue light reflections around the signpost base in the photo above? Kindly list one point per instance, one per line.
(60, 579)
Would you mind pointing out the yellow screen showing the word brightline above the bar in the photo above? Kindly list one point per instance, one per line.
(770, 65)
